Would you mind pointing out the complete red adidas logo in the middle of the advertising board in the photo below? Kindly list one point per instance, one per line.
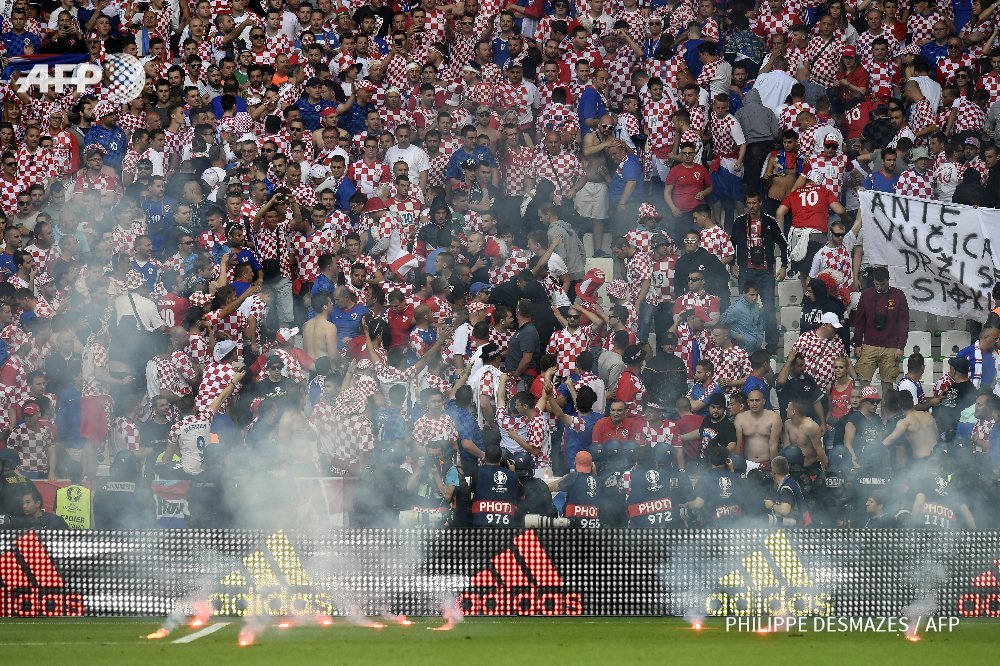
(521, 580)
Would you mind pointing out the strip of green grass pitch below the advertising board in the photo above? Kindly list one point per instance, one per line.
(479, 642)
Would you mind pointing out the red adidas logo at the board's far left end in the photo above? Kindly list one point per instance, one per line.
(30, 584)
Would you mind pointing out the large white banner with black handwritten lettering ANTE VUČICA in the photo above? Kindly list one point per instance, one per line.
(940, 254)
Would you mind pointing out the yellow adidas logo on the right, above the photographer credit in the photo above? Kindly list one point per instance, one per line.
(769, 581)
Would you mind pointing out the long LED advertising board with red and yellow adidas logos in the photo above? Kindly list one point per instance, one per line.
(502, 572)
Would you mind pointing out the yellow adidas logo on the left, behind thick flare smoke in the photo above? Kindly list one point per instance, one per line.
(272, 581)
